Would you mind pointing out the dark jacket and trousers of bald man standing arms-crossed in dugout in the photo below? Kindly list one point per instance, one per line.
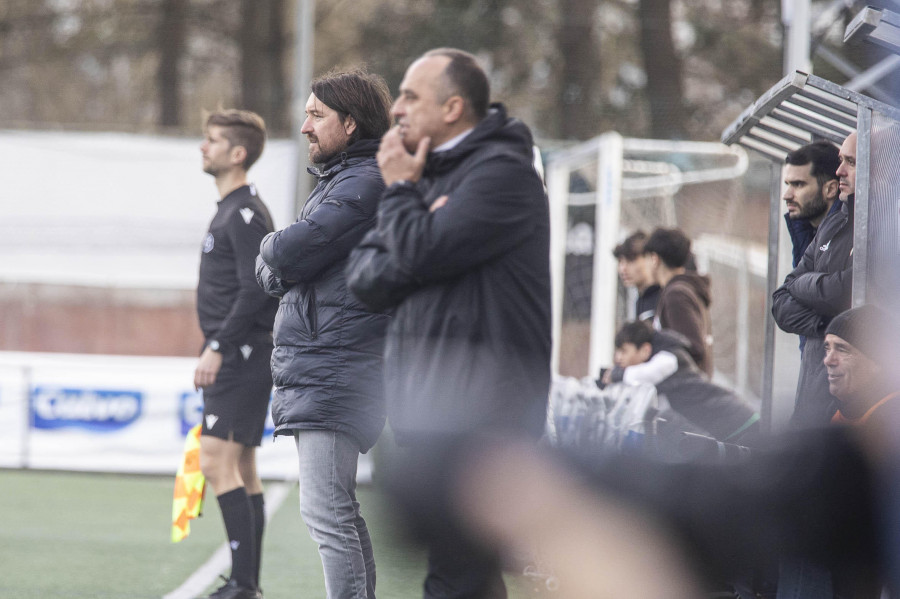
(815, 292)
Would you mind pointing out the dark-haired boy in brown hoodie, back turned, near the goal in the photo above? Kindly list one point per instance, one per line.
(684, 303)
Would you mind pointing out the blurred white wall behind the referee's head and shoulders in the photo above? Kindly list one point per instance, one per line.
(116, 209)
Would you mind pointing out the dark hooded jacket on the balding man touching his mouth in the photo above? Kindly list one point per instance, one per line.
(469, 344)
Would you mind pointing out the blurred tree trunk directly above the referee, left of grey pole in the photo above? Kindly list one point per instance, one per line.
(262, 47)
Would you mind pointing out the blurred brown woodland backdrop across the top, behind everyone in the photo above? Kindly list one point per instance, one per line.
(140, 64)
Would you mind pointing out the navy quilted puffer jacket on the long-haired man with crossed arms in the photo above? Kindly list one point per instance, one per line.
(327, 364)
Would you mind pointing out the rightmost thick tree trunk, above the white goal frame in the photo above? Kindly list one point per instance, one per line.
(665, 90)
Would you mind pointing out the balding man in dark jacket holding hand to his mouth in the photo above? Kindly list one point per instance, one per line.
(461, 252)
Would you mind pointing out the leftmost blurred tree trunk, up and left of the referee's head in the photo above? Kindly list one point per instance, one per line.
(170, 40)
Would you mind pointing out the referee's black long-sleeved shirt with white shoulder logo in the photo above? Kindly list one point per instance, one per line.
(231, 307)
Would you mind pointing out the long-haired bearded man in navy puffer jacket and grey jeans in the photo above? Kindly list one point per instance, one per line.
(327, 360)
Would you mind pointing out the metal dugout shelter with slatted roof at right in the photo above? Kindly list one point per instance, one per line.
(799, 109)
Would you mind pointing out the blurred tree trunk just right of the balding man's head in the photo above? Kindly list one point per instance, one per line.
(580, 69)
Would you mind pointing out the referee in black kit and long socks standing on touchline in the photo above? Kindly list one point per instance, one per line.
(236, 317)
